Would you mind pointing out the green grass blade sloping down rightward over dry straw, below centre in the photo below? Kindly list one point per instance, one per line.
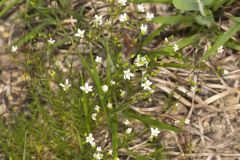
(149, 121)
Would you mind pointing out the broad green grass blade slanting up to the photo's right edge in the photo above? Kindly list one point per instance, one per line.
(221, 40)
